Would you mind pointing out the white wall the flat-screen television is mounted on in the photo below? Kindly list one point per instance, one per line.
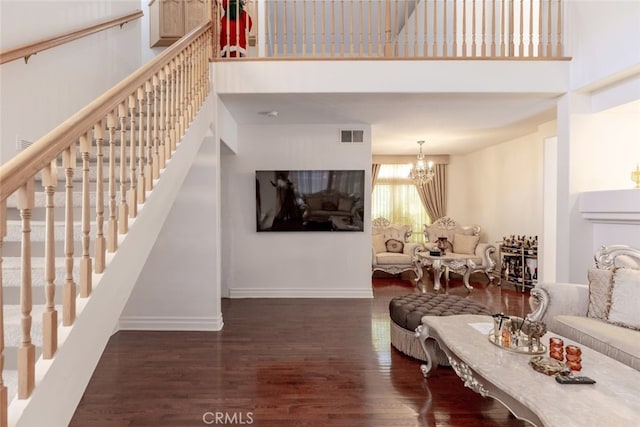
(291, 264)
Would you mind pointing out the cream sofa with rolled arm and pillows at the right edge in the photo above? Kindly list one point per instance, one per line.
(604, 313)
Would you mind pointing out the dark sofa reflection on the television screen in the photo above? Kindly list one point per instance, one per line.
(322, 205)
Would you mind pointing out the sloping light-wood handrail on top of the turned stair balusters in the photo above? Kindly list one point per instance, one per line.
(34, 158)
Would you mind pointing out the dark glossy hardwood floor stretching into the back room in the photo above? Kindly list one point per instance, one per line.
(289, 362)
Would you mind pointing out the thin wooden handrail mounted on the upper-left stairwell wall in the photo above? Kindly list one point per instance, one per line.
(25, 51)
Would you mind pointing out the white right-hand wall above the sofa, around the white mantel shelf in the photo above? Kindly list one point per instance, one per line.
(597, 142)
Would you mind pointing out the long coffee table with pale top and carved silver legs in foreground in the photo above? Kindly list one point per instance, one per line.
(531, 396)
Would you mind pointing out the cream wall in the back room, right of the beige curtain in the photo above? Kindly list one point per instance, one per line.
(500, 187)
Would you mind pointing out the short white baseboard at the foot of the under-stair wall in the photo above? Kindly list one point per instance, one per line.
(154, 323)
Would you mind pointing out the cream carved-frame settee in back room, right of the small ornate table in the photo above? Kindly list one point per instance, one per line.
(462, 239)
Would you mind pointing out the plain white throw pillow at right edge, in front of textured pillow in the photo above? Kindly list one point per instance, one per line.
(625, 298)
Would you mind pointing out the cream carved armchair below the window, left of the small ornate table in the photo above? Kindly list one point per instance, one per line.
(391, 250)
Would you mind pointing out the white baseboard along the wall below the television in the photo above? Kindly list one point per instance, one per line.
(300, 293)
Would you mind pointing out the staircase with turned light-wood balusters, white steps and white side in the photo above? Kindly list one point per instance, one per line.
(152, 124)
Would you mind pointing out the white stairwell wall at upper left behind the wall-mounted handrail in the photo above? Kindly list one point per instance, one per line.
(56, 83)
